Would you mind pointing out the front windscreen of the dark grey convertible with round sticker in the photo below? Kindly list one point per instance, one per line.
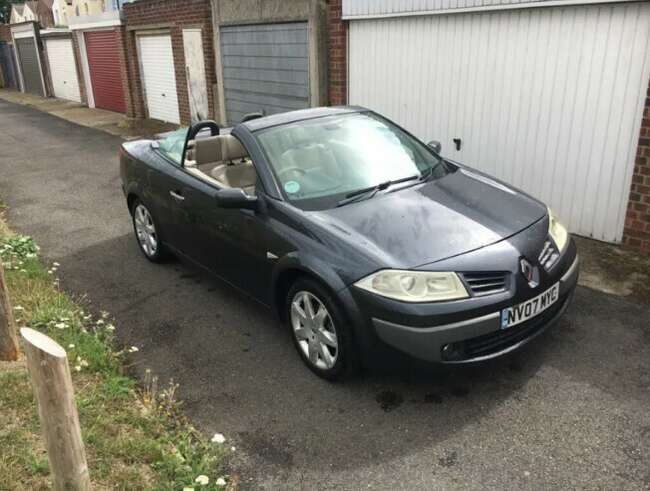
(321, 162)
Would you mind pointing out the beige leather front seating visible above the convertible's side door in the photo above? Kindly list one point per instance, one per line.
(224, 159)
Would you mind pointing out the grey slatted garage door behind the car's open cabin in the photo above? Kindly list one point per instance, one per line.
(265, 68)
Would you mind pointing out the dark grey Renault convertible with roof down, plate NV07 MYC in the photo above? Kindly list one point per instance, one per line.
(362, 238)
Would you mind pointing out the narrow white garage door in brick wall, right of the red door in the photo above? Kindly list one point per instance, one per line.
(159, 78)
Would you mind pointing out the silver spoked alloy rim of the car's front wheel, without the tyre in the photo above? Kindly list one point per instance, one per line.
(314, 330)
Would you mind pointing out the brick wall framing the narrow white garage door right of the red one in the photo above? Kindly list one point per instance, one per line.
(171, 15)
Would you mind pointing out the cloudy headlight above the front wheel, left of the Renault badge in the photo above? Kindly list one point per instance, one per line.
(414, 286)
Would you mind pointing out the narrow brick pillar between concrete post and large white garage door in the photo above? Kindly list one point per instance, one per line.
(337, 54)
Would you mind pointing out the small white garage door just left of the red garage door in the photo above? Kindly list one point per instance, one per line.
(63, 70)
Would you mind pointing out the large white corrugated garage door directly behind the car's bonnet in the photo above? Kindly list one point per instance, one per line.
(549, 99)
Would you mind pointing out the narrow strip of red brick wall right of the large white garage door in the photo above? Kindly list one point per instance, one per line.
(637, 220)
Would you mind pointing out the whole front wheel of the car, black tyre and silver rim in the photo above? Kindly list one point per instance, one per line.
(319, 330)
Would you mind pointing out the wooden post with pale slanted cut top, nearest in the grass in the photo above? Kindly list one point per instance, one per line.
(48, 367)
